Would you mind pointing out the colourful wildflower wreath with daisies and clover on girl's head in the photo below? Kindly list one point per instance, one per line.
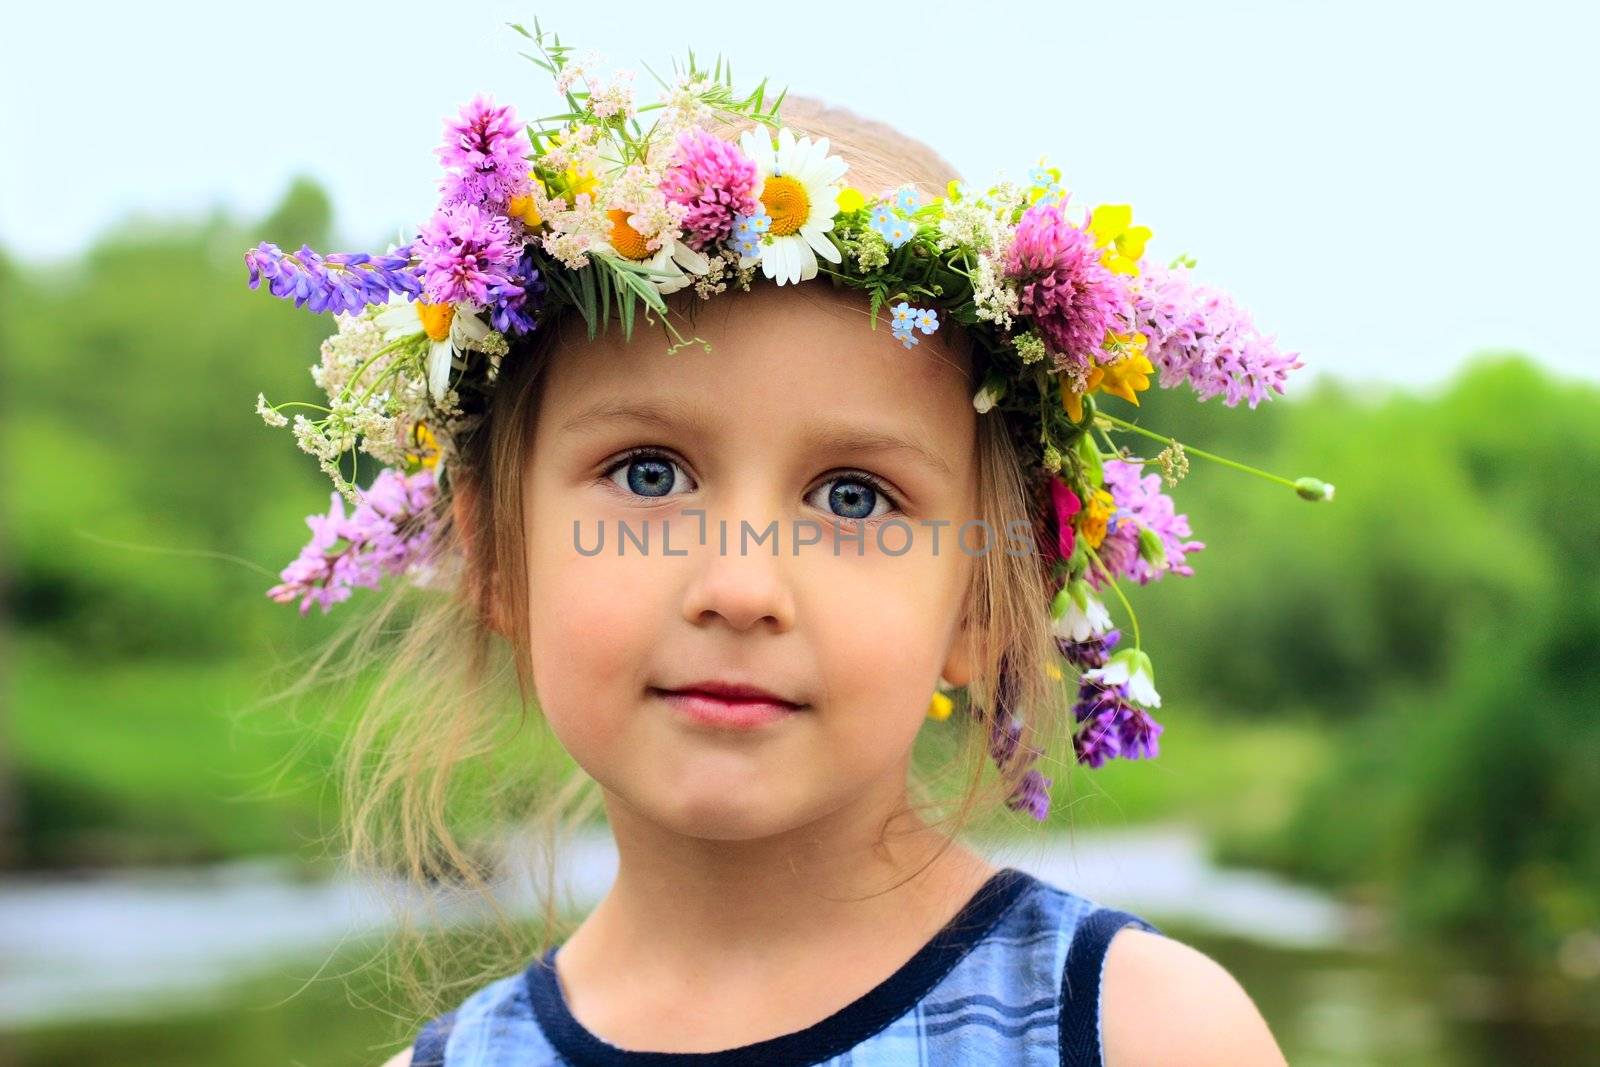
(590, 210)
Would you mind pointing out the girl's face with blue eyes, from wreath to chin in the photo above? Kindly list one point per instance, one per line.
(807, 426)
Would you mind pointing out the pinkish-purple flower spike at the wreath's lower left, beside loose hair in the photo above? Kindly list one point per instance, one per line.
(385, 535)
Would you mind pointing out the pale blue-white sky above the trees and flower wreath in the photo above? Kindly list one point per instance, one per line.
(1388, 186)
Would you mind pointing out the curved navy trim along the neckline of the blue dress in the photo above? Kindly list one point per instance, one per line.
(818, 1042)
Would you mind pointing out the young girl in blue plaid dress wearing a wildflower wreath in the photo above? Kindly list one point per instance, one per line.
(730, 577)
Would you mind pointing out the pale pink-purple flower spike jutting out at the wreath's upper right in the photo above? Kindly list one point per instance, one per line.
(1201, 335)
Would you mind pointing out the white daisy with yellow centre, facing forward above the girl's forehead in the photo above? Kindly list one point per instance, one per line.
(799, 188)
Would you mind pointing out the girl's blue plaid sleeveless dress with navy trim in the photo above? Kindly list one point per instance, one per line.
(1012, 981)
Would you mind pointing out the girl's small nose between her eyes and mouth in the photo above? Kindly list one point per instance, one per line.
(742, 578)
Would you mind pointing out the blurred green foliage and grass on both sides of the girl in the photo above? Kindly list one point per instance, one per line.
(1396, 690)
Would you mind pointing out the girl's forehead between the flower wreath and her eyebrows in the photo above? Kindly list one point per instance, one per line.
(780, 356)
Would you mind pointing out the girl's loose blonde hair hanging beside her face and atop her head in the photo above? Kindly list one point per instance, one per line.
(439, 757)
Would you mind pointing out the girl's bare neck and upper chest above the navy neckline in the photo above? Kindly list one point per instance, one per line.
(778, 933)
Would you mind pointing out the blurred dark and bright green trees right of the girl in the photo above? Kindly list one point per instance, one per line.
(1442, 617)
